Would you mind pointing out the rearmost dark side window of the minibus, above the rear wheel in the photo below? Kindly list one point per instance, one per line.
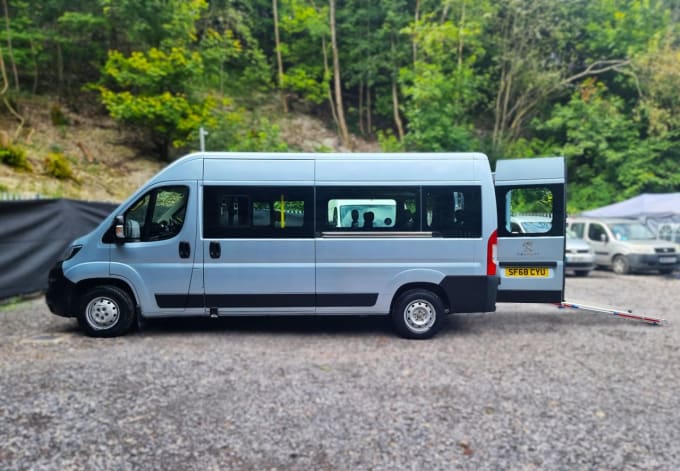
(453, 211)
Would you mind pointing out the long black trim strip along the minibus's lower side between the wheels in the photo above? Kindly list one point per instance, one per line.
(182, 301)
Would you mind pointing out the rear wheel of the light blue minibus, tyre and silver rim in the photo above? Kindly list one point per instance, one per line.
(418, 314)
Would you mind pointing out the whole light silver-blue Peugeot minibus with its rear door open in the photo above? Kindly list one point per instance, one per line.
(221, 234)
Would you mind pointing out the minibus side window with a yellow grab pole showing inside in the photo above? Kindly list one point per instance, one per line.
(257, 212)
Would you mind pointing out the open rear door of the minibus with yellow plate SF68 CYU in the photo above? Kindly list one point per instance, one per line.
(530, 195)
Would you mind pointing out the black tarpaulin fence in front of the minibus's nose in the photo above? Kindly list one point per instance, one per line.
(35, 233)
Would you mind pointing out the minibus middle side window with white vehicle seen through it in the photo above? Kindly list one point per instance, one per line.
(351, 208)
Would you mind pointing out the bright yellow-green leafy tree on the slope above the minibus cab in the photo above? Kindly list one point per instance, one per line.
(153, 89)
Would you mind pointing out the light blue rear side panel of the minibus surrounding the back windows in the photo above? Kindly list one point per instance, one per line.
(360, 268)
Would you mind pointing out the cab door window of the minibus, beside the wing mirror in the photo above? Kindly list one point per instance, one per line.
(158, 215)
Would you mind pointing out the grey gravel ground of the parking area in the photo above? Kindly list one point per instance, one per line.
(526, 387)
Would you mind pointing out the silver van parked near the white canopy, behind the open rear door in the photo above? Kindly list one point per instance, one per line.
(625, 245)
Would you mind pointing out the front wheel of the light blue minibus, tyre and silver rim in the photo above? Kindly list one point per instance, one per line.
(106, 311)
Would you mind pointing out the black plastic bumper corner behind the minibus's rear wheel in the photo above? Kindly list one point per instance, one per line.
(471, 293)
